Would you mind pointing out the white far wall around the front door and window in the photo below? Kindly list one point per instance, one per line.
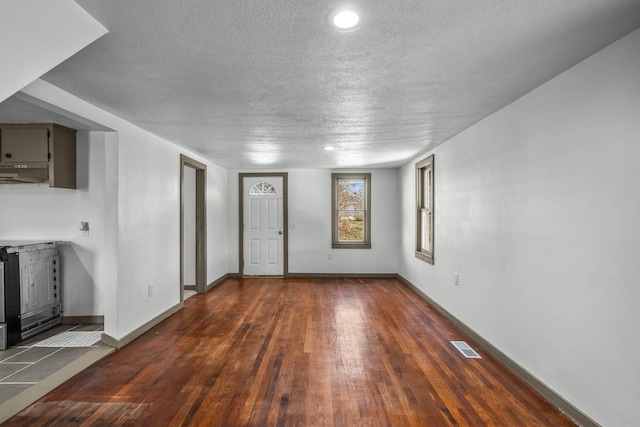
(310, 211)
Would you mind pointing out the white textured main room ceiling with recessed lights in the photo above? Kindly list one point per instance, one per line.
(268, 83)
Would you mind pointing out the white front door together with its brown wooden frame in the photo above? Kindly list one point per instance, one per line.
(263, 240)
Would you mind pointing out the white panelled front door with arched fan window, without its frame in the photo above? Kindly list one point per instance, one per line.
(263, 232)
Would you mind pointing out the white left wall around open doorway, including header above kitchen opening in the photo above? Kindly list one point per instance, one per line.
(142, 230)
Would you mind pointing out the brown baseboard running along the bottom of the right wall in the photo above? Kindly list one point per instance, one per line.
(546, 392)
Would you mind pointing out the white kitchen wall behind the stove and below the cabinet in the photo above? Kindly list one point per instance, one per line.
(35, 212)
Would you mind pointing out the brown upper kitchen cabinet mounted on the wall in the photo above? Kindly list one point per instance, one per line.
(38, 153)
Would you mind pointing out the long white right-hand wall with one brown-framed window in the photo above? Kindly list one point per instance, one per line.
(537, 209)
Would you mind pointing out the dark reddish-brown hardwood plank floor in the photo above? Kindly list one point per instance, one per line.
(304, 352)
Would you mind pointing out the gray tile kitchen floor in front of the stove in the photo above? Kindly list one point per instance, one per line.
(23, 365)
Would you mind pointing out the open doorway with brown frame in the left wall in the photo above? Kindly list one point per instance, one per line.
(193, 226)
